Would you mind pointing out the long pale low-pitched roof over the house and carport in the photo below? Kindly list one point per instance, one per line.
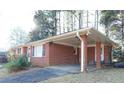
(93, 35)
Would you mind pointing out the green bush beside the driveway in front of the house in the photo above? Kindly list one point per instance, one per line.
(17, 64)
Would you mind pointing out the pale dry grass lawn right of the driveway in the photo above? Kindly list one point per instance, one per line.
(110, 75)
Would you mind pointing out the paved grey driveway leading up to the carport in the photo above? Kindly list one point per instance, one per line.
(40, 74)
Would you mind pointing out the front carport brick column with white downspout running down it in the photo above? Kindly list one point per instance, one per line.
(84, 53)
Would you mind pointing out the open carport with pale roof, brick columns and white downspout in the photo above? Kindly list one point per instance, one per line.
(90, 45)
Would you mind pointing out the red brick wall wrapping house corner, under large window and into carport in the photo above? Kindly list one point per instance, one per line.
(56, 54)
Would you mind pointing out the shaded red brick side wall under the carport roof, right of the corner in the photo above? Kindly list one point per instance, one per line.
(61, 54)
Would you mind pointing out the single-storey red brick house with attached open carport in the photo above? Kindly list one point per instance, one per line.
(84, 47)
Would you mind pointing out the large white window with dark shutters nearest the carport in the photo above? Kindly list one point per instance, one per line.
(38, 51)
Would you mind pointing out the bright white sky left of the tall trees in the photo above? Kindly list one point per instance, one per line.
(12, 19)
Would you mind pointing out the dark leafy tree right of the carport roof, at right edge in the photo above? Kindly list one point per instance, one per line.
(113, 20)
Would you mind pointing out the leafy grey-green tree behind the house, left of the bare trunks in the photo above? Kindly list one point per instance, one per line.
(46, 22)
